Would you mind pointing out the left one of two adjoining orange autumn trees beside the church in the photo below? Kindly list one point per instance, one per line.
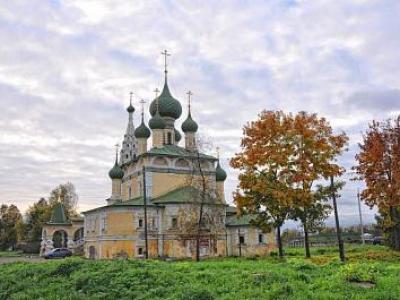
(264, 183)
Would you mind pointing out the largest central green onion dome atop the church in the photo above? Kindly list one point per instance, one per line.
(168, 106)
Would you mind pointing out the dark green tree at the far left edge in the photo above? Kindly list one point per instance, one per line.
(10, 217)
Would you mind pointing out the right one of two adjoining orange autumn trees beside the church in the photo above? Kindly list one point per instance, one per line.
(315, 152)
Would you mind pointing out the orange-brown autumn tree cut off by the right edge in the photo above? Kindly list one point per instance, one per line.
(379, 167)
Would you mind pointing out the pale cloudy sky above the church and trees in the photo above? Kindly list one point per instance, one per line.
(67, 67)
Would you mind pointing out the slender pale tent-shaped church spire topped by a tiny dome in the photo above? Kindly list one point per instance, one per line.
(129, 150)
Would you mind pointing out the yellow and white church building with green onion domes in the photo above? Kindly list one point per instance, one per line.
(161, 183)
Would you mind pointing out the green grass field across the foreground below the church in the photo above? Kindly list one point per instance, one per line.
(321, 277)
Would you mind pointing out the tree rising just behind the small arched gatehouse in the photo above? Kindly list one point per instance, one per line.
(68, 196)
